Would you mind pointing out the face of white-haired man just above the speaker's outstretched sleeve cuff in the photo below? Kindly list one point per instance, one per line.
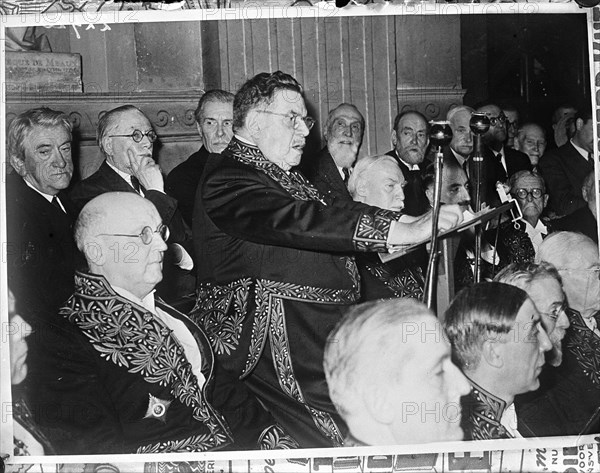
(383, 186)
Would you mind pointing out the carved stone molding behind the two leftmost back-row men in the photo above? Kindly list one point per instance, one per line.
(171, 114)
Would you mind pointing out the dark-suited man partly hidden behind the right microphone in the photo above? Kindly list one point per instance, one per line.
(508, 161)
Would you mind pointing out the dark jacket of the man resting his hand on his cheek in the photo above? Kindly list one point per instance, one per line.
(107, 180)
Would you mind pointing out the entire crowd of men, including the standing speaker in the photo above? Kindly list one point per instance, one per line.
(299, 335)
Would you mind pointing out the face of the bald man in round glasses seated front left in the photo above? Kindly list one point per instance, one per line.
(138, 269)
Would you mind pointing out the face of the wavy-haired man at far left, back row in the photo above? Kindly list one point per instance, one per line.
(47, 165)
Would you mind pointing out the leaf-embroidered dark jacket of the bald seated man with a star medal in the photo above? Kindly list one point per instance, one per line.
(117, 381)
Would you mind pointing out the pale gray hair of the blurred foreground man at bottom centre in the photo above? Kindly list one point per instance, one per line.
(369, 331)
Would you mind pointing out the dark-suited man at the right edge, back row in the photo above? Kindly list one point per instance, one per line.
(564, 169)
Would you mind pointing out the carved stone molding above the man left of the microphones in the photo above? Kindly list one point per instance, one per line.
(434, 103)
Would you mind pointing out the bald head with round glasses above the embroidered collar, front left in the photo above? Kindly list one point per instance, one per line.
(109, 233)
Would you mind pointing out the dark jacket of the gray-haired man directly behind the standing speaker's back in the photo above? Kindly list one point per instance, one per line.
(182, 182)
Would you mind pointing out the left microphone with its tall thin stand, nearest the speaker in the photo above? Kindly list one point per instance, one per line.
(440, 135)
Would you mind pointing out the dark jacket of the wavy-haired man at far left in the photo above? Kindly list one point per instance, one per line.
(41, 252)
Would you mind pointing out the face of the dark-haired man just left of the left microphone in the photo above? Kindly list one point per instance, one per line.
(410, 139)
